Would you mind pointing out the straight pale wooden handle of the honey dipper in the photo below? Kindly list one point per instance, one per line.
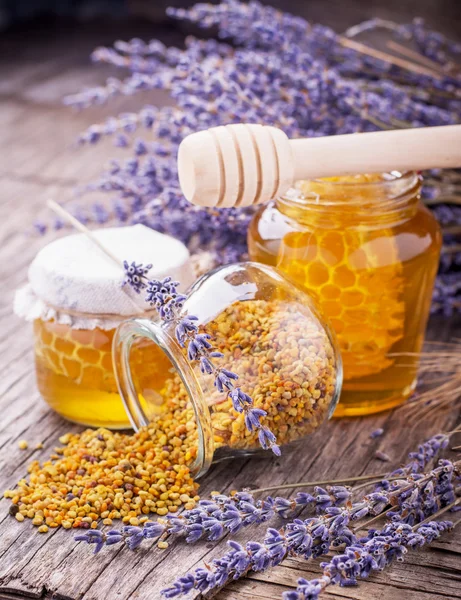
(377, 152)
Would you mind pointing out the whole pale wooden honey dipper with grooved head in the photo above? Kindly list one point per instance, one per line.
(241, 165)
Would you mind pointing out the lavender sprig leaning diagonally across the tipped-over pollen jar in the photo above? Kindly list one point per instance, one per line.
(165, 297)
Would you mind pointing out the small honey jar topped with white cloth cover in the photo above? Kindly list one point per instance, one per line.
(75, 299)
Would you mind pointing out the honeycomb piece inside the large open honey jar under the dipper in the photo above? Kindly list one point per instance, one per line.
(357, 282)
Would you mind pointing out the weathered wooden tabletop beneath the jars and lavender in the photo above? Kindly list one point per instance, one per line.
(38, 162)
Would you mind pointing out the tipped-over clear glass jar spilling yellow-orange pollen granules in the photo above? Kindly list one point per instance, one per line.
(268, 333)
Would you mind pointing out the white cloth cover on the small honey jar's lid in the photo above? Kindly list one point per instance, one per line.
(73, 273)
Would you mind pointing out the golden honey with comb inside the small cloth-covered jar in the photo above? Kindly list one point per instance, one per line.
(75, 374)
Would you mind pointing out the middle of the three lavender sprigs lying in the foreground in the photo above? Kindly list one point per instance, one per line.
(415, 498)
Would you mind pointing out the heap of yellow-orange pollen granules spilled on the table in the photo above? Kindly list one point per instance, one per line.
(107, 475)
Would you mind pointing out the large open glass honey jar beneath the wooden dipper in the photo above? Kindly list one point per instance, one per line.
(367, 251)
